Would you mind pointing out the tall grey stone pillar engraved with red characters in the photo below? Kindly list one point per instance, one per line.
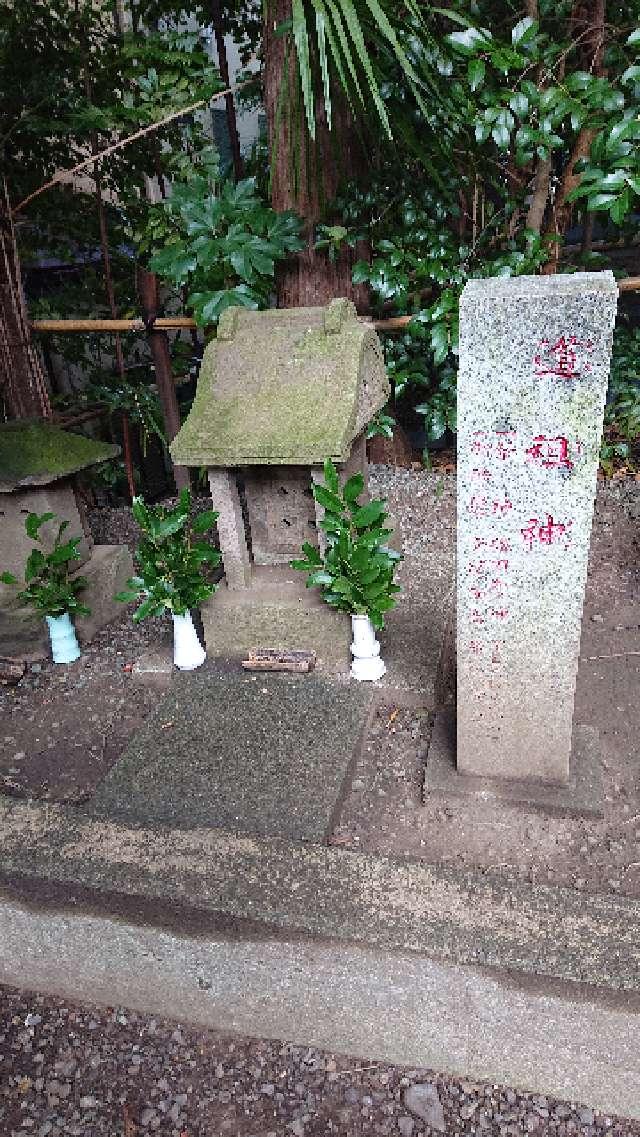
(535, 361)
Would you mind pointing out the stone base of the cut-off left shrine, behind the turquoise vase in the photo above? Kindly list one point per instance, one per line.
(23, 633)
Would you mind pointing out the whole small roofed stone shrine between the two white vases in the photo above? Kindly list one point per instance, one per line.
(279, 393)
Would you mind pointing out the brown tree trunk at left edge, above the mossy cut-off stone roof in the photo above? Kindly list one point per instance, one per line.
(23, 387)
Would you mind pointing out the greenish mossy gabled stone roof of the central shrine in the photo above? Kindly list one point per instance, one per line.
(285, 387)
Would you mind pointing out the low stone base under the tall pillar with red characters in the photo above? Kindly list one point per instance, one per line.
(584, 796)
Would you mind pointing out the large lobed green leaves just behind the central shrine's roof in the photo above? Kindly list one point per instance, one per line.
(225, 247)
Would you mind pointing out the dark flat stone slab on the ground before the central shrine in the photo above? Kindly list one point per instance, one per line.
(255, 754)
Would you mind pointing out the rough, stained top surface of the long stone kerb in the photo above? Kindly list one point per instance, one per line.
(467, 918)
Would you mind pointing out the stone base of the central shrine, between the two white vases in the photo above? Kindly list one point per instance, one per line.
(278, 612)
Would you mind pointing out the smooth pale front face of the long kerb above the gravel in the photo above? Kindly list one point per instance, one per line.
(398, 1007)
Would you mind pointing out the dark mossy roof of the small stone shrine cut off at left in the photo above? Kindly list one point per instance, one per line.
(39, 453)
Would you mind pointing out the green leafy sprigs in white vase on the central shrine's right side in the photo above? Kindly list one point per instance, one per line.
(356, 572)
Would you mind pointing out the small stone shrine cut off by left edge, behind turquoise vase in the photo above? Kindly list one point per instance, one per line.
(38, 466)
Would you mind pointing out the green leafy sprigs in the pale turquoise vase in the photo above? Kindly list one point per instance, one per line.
(48, 586)
